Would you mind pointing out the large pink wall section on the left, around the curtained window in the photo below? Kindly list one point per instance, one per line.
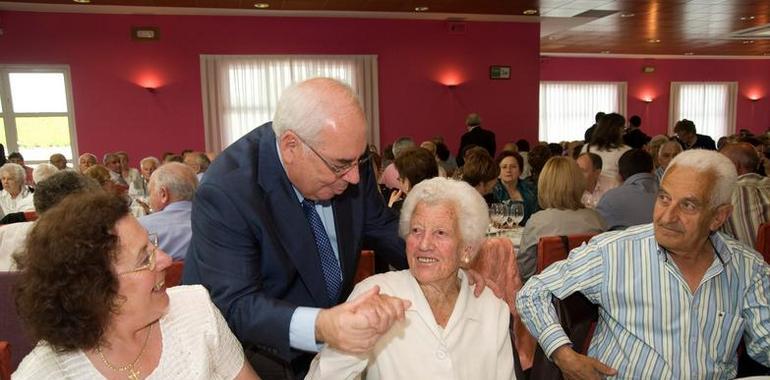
(114, 112)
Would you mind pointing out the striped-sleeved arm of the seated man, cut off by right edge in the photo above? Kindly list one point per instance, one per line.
(756, 313)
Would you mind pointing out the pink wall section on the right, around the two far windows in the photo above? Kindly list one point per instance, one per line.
(753, 77)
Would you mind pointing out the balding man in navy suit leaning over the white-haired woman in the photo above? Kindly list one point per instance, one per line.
(277, 228)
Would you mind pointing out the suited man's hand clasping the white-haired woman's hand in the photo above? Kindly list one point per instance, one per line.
(355, 326)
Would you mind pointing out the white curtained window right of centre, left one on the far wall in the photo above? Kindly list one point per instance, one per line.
(567, 109)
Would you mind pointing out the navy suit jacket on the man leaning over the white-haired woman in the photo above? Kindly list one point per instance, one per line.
(254, 250)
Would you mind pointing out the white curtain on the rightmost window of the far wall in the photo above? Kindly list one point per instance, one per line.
(710, 105)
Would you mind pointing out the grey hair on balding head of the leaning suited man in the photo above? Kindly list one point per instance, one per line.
(306, 107)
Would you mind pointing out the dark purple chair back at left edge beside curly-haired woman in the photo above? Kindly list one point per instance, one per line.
(11, 328)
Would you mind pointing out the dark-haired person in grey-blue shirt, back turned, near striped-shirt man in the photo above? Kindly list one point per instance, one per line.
(632, 202)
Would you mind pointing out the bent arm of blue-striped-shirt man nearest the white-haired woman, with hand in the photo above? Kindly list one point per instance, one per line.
(581, 272)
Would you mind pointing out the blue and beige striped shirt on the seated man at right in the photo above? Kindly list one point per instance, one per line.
(650, 324)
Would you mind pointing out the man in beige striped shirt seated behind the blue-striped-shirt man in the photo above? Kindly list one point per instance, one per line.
(751, 197)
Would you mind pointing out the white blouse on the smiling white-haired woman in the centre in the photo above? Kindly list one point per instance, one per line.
(475, 344)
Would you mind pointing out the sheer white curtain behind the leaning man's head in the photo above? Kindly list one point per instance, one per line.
(240, 93)
